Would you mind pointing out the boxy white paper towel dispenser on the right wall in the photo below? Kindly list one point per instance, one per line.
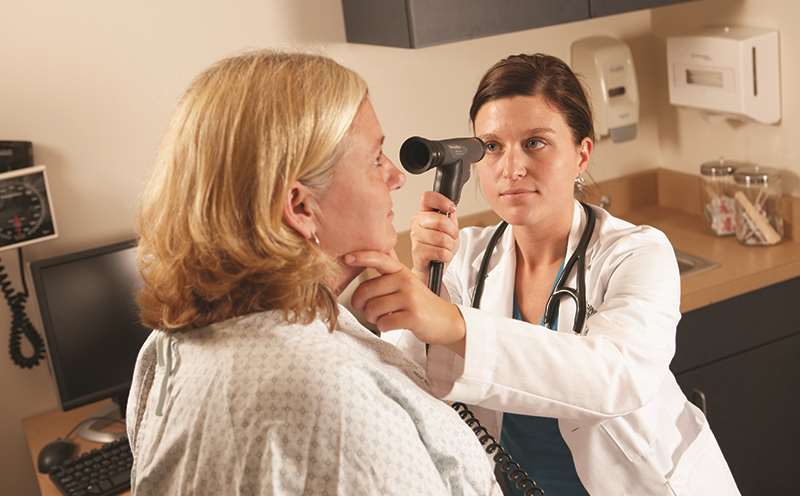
(732, 71)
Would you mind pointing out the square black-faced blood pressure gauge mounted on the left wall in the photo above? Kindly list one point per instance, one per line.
(26, 211)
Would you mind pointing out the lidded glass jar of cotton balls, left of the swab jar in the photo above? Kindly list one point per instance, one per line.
(719, 207)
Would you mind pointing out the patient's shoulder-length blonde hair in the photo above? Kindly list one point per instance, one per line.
(213, 244)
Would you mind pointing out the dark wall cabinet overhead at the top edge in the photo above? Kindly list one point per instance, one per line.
(421, 23)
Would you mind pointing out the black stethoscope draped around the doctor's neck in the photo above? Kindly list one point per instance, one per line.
(578, 257)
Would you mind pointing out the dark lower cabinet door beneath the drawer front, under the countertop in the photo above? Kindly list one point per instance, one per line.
(753, 407)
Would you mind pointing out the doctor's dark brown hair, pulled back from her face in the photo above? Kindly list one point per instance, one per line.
(538, 75)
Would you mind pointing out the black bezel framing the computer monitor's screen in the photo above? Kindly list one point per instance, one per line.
(53, 355)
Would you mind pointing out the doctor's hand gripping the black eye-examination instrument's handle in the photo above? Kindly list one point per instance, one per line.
(434, 233)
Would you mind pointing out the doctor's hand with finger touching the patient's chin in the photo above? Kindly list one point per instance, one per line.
(396, 299)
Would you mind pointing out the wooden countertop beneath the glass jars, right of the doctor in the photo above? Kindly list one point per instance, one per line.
(741, 268)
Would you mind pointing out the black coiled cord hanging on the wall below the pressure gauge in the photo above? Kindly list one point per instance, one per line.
(20, 323)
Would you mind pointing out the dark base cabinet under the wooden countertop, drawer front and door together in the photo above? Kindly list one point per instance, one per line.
(739, 361)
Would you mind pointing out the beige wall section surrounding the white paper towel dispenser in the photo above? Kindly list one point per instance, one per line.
(687, 138)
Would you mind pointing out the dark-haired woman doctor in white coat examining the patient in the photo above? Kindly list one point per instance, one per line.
(566, 361)
